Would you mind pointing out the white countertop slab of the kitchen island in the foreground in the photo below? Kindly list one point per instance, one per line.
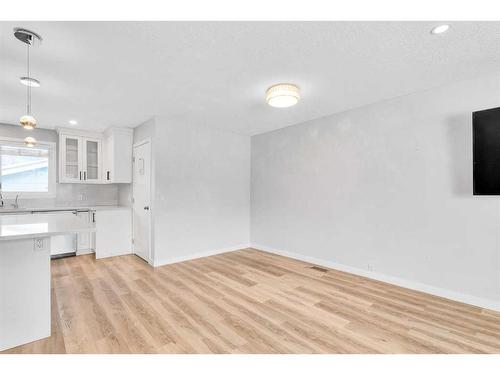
(14, 227)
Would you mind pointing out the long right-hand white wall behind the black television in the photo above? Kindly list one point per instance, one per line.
(386, 188)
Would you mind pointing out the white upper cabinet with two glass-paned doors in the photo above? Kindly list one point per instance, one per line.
(80, 157)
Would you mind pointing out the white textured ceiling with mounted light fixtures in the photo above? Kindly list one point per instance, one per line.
(216, 73)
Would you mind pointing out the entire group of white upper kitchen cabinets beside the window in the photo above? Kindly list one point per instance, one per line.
(95, 158)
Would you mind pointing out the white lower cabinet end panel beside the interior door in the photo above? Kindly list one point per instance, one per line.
(113, 235)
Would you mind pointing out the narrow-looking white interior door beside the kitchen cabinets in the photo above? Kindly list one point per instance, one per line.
(141, 189)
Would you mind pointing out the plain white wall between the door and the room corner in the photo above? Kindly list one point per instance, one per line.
(201, 191)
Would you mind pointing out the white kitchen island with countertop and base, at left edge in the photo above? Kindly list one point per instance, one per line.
(25, 274)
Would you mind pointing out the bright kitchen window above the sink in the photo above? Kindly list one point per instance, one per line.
(28, 171)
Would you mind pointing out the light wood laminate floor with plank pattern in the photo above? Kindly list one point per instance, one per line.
(249, 301)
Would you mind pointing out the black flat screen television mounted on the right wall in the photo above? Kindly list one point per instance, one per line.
(486, 151)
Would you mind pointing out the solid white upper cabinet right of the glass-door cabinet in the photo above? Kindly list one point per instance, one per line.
(118, 155)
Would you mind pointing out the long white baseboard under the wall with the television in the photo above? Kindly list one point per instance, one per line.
(455, 296)
